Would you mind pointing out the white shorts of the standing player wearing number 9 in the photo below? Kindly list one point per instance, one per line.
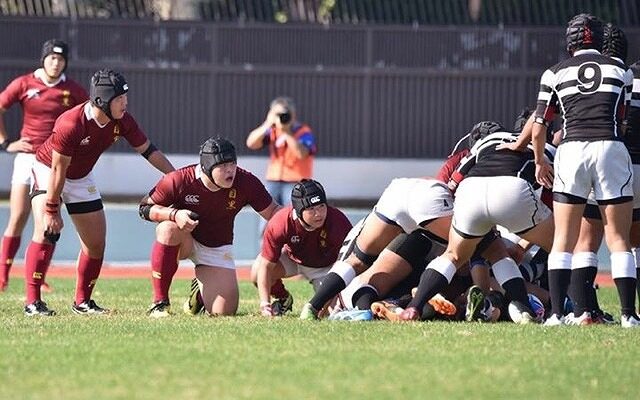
(604, 166)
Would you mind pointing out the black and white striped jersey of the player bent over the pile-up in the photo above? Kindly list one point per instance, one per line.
(485, 160)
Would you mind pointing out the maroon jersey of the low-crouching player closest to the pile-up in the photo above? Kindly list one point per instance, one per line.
(317, 249)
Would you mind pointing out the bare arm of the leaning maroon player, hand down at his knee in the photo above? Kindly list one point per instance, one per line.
(52, 220)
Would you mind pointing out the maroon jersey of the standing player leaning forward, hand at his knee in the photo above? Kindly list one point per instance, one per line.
(77, 136)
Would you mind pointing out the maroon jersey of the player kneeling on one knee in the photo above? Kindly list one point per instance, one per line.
(183, 189)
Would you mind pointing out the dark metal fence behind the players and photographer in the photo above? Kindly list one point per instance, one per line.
(370, 91)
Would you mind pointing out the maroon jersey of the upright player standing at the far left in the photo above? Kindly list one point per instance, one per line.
(41, 104)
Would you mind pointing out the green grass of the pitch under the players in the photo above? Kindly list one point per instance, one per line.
(129, 356)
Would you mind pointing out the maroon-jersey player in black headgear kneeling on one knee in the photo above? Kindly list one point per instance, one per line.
(195, 208)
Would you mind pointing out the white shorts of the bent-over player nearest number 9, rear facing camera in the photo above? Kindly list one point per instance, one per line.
(482, 202)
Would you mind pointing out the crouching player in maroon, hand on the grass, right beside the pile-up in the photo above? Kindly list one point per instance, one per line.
(304, 239)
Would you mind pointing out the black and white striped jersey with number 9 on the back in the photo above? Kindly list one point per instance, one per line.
(591, 91)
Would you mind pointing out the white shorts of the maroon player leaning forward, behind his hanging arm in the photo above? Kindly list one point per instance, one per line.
(74, 191)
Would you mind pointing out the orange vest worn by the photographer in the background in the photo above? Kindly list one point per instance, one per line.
(284, 164)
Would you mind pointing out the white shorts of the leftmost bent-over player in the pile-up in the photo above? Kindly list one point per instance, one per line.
(412, 201)
